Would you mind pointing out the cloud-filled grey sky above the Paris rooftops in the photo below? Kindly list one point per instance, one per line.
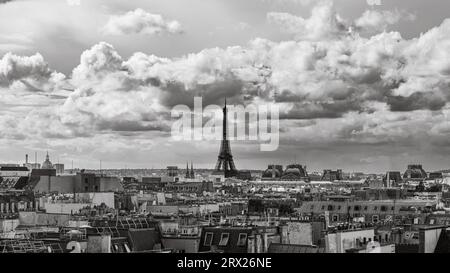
(360, 87)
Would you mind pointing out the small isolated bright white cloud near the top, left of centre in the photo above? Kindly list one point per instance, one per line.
(140, 21)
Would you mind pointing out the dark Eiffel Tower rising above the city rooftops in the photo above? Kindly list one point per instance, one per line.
(225, 162)
